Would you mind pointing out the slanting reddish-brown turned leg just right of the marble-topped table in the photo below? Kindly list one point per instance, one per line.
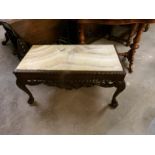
(135, 46)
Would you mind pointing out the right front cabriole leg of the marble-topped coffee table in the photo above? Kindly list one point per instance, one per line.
(120, 85)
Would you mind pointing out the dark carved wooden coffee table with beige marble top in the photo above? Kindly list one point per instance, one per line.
(71, 66)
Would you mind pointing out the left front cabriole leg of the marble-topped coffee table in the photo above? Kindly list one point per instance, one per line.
(22, 86)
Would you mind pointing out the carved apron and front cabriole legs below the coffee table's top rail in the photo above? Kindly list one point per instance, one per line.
(73, 84)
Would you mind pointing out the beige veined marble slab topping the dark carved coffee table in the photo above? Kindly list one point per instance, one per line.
(71, 57)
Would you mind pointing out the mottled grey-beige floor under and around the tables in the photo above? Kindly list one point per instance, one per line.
(82, 111)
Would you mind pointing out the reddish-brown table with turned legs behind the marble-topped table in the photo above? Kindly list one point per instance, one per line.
(139, 23)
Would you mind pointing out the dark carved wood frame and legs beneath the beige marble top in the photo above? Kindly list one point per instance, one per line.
(71, 80)
